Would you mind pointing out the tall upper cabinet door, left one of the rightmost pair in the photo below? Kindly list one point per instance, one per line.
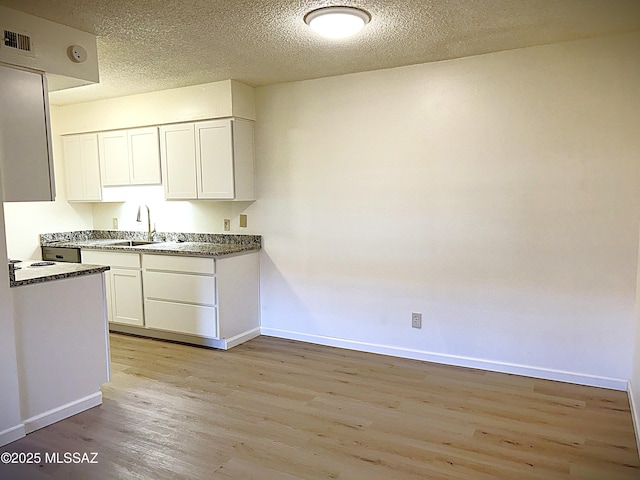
(178, 155)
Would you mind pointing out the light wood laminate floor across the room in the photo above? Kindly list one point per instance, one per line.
(274, 409)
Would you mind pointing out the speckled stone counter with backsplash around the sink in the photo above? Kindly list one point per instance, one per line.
(167, 243)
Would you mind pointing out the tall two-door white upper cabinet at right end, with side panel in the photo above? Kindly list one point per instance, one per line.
(208, 160)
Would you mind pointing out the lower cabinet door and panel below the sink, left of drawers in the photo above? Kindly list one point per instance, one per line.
(123, 285)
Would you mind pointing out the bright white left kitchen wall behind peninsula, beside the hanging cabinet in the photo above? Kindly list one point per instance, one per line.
(25, 221)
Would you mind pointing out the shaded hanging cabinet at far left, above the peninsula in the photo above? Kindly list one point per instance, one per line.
(25, 147)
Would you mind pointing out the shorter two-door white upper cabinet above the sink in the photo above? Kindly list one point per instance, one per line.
(130, 157)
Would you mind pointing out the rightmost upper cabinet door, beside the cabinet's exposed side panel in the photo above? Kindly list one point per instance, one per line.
(214, 159)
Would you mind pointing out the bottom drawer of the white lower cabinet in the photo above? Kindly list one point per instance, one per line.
(181, 318)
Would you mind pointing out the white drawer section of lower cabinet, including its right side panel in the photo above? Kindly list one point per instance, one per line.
(212, 302)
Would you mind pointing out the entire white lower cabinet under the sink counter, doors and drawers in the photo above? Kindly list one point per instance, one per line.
(205, 301)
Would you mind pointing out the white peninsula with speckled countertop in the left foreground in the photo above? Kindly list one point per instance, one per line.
(62, 340)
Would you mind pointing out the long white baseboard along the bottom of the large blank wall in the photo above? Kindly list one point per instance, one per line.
(469, 362)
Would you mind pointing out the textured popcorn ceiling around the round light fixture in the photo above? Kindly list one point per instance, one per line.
(147, 45)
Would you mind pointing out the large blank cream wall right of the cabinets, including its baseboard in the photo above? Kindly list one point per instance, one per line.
(498, 195)
